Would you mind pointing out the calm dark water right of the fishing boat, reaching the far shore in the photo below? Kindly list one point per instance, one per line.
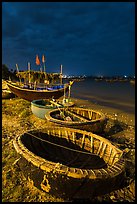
(114, 94)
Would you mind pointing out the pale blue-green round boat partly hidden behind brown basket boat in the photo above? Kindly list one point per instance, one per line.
(40, 107)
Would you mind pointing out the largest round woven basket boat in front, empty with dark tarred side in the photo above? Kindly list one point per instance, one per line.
(70, 163)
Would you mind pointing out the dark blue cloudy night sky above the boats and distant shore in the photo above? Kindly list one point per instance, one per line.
(92, 38)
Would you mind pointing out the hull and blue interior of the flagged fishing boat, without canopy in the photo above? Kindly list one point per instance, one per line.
(30, 94)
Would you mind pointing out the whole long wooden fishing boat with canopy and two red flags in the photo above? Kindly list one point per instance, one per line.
(31, 88)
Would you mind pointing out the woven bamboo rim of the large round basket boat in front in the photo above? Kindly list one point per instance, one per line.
(51, 166)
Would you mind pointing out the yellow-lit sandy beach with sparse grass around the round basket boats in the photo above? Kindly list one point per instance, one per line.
(18, 118)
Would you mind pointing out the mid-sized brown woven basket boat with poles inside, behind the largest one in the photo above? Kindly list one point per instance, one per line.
(79, 118)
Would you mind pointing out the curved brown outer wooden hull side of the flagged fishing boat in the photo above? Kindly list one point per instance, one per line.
(31, 95)
